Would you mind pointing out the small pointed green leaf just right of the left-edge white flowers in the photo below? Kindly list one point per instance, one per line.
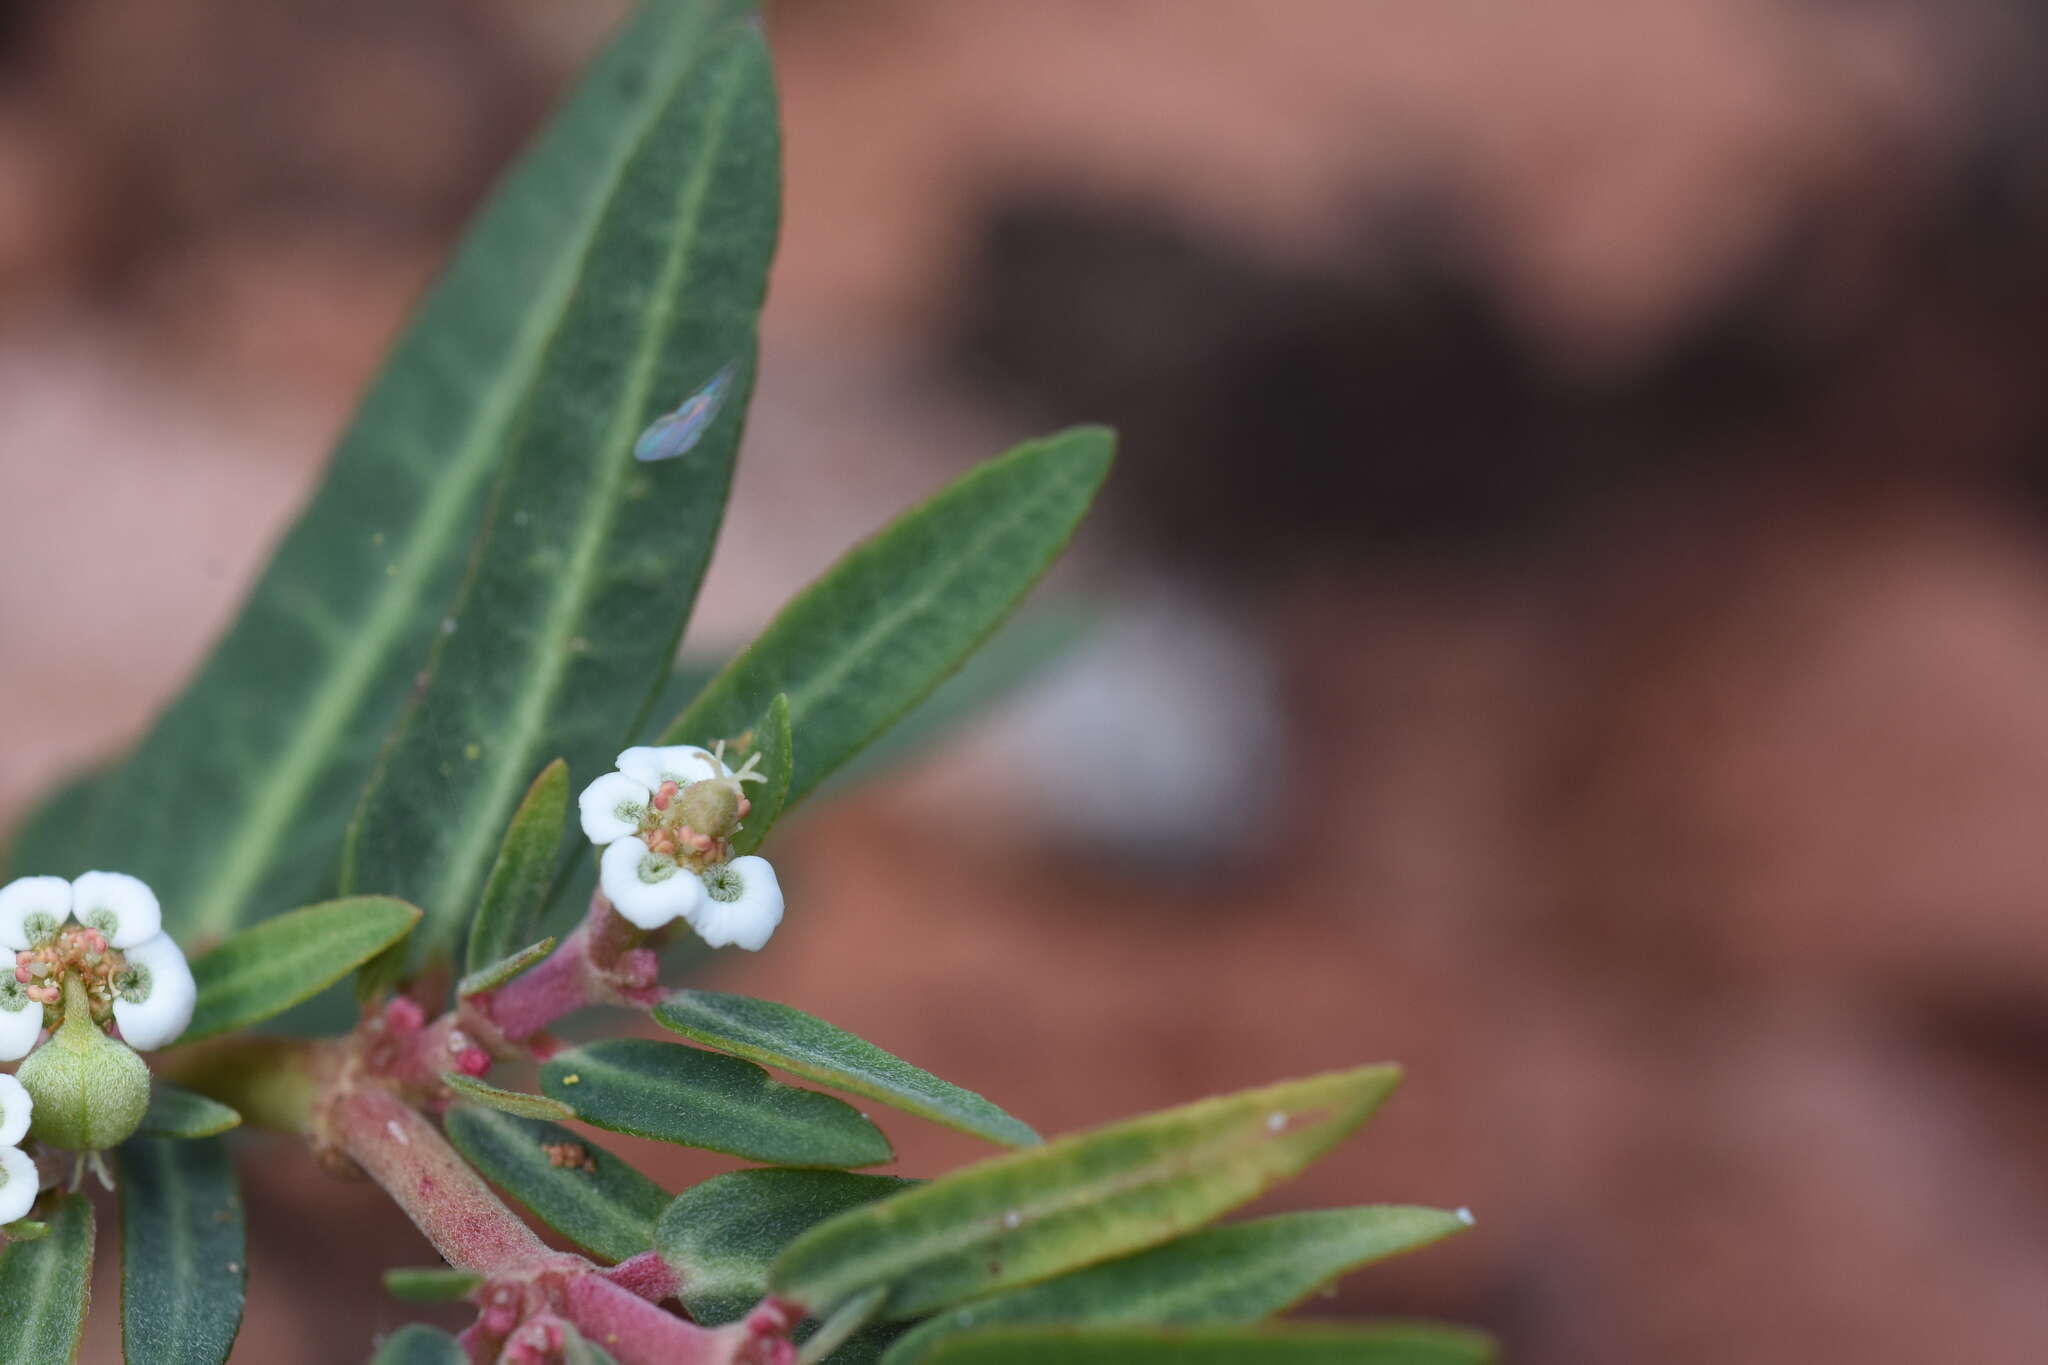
(280, 963)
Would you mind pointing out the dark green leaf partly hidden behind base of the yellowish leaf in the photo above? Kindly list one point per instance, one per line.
(724, 1235)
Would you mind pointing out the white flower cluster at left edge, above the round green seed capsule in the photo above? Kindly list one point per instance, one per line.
(108, 932)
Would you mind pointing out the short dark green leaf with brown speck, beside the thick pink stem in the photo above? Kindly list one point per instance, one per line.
(601, 1204)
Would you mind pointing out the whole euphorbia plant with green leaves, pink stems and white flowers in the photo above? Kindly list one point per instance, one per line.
(493, 584)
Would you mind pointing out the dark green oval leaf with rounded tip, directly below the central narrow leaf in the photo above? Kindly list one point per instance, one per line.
(720, 1104)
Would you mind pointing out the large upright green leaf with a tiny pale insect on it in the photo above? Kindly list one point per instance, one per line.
(591, 560)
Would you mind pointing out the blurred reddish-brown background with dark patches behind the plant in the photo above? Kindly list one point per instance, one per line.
(1574, 613)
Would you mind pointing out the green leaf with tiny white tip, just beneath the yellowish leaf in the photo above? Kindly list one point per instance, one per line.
(1220, 1276)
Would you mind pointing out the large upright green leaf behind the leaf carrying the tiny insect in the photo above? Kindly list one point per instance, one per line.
(286, 721)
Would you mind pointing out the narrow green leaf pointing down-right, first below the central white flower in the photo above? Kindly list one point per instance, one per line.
(816, 1051)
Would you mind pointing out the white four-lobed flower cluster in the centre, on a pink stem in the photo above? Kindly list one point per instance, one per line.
(667, 822)
